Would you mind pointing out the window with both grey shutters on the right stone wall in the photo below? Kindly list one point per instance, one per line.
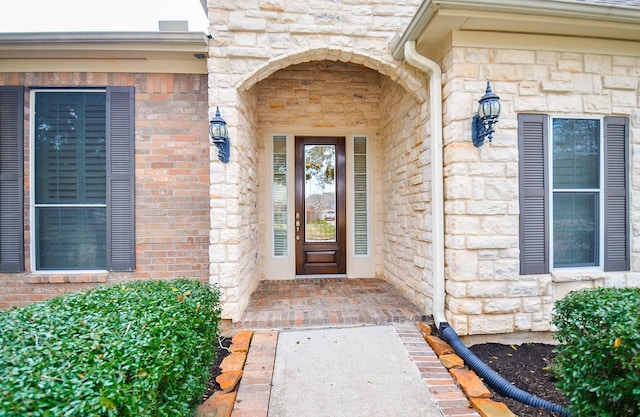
(573, 211)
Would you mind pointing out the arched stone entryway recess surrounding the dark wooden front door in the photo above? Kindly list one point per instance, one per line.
(328, 92)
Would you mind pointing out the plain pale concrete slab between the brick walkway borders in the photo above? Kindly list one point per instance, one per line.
(362, 371)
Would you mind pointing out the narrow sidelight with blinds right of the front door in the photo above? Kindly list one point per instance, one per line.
(361, 239)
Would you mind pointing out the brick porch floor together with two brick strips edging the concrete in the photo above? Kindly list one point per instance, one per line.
(328, 302)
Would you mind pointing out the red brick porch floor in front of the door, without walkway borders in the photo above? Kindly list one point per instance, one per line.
(327, 302)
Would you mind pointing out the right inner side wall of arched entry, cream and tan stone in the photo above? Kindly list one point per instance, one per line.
(406, 195)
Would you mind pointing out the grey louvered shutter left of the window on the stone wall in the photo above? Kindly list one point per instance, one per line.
(534, 183)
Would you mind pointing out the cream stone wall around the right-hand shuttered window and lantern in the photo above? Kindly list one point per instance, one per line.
(485, 292)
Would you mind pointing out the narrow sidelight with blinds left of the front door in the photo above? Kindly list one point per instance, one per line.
(280, 207)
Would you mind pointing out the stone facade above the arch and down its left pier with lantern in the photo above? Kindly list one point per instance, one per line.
(252, 39)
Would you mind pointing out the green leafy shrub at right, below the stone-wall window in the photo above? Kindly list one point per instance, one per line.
(598, 360)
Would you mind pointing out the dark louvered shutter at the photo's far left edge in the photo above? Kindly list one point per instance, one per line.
(11, 179)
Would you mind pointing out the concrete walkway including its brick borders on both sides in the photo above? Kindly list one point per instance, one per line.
(285, 378)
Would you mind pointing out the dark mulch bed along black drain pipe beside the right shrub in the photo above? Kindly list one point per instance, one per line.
(528, 367)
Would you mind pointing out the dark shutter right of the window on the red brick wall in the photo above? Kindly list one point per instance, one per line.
(120, 179)
